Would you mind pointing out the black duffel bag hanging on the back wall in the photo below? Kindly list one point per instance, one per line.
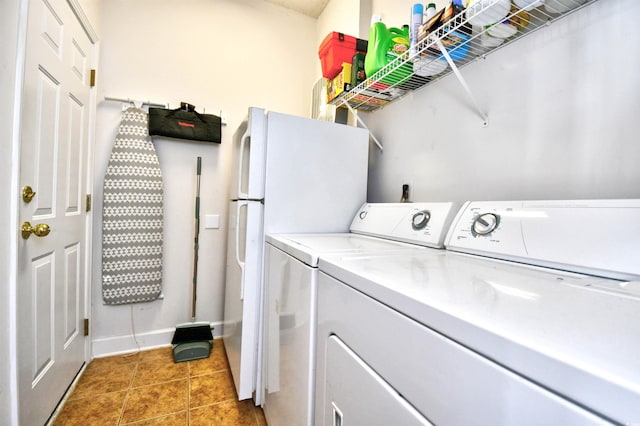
(184, 123)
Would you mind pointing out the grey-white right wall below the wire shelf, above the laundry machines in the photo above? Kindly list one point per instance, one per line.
(563, 108)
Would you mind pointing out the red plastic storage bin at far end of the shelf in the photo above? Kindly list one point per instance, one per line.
(337, 48)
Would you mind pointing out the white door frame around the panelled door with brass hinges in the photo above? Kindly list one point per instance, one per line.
(14, 22)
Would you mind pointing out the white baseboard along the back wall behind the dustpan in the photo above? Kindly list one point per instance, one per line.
(118, 345)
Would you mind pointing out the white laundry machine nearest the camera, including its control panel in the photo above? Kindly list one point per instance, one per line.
(531, 316)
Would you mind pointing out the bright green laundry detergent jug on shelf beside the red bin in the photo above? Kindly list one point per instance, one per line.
(386, 45)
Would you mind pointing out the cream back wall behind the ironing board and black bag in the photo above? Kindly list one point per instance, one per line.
(217, 54)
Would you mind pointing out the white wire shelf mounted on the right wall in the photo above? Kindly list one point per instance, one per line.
(464, 44)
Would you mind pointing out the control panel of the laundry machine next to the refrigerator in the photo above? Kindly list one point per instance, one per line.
(417, 223)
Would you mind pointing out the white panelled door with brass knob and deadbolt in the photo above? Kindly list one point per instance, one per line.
(51, 268)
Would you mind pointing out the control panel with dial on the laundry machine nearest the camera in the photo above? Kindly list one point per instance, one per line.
(598, 237)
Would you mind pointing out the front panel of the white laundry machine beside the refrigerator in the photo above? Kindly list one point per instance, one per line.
(289, 341)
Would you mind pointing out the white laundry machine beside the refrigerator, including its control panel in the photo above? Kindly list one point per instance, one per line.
(291, 280)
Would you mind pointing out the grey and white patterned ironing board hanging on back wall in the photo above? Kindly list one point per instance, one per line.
(132, 216)
